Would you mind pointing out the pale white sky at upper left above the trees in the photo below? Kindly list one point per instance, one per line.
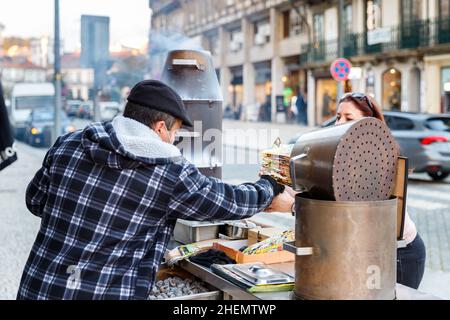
(129, 19)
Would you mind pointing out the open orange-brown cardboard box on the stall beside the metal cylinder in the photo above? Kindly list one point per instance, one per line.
(231, 249)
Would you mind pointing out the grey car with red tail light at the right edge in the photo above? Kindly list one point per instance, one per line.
(423, 138)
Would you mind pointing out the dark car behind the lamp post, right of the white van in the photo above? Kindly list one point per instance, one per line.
(39, 126)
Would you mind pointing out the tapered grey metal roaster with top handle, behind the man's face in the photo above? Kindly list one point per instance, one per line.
(191, 73)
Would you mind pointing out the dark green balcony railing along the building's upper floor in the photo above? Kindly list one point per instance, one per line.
(422, 34)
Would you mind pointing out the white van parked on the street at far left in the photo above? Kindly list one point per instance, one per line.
(24, 98)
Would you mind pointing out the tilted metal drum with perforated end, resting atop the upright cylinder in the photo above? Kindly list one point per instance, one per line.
(355, 161)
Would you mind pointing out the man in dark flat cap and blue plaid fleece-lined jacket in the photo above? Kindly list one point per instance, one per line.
(109, 197)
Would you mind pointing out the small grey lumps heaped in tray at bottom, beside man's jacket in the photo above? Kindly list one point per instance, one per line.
(174, 287)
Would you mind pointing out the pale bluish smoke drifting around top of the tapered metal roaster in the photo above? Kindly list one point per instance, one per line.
(163, 42)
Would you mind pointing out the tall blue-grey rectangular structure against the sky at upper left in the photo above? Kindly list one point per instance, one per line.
(95, 41)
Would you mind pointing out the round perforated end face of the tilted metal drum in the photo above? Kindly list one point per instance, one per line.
(365, 163)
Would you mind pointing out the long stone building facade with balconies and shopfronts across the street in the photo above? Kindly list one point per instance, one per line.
(269, 51)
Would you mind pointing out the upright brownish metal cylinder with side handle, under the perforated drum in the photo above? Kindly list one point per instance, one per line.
(345, 250)
